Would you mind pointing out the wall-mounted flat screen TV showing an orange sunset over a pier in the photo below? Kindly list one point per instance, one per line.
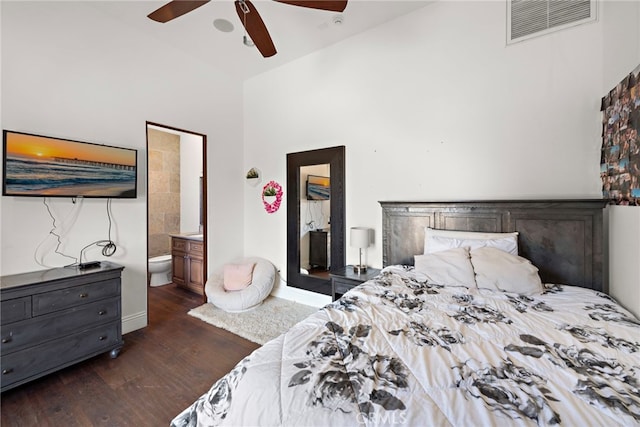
(42, 166)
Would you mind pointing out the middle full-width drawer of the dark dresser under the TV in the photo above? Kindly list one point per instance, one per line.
(41, 329)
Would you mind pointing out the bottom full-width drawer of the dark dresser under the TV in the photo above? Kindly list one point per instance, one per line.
(36, 361)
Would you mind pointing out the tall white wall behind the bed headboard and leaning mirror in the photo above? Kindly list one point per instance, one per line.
(434, 106)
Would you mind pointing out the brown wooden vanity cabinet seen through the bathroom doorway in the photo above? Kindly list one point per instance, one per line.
(187, 258)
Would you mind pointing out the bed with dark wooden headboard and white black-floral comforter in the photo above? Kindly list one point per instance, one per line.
(530, 339)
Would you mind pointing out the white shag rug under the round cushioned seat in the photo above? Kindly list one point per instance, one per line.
(261, 324)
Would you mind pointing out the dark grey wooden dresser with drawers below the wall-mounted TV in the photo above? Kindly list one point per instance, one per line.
(51, 319)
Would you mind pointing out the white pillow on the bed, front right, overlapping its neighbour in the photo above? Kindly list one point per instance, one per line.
(498, 270)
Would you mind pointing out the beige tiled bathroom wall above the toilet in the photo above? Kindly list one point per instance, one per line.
(164, 190)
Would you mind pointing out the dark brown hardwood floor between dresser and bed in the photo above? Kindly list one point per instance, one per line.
(161, 370)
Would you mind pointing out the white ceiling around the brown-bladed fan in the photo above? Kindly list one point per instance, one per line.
(296, 31)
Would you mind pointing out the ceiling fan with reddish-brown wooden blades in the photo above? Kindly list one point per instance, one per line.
(248, 14)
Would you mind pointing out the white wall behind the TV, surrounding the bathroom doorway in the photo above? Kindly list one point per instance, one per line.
(70, 70)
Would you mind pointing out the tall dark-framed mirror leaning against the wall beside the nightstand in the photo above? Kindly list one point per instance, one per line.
(315, 217)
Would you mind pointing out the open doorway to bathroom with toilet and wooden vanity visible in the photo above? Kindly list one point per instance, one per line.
(176, 208)
